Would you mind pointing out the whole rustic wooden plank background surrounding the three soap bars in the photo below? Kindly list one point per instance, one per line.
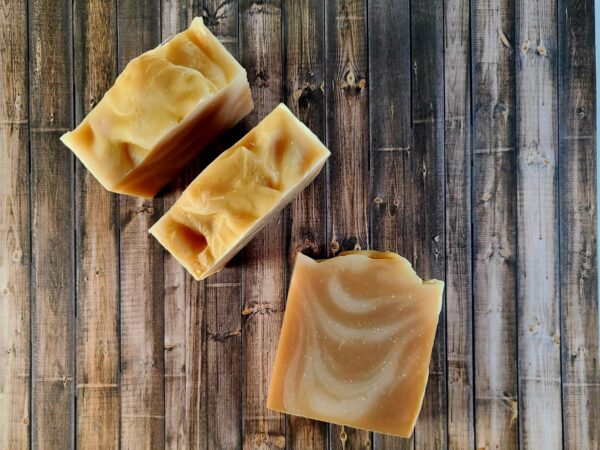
(462, 135)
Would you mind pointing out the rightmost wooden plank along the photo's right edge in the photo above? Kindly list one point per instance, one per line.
(580, 331)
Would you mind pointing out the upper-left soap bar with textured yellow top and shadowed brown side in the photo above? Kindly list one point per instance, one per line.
(163, 109)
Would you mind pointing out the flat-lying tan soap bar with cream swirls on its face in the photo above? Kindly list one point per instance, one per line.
(356, 342)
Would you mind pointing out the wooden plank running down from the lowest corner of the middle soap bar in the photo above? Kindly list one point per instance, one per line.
(184, 309)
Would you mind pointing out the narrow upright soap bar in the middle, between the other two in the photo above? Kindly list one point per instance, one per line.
(229, 202)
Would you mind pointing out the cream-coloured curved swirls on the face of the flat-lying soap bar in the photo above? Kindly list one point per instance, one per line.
(338, 397)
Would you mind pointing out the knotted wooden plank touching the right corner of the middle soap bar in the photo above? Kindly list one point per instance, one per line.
(348, 139)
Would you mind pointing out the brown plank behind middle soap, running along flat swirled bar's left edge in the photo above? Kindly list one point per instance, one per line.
(264, 259)
